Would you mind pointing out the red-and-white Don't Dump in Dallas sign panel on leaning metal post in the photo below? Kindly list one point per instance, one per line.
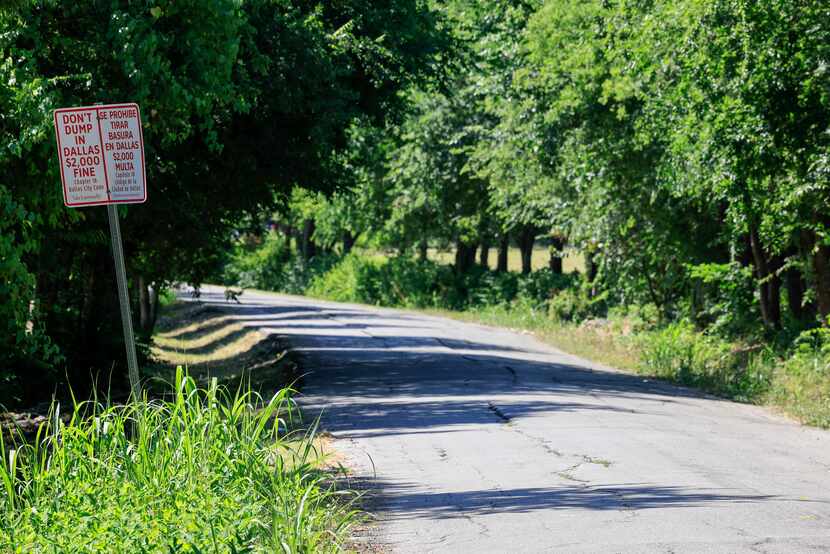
(101, 152)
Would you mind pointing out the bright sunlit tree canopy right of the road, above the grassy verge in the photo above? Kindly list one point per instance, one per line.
(681, 147)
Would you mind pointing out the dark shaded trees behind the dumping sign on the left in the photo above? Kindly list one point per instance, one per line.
(240, 102)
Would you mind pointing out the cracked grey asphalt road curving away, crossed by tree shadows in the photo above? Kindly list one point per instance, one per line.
(479, 439)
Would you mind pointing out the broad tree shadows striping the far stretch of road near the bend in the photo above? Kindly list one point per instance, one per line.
(416, 373)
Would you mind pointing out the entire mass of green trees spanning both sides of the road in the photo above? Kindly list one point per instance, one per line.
(681, 148)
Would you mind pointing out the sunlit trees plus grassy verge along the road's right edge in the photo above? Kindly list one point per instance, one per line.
(678, 149)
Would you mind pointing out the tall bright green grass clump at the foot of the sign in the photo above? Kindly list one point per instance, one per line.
(203, 470)
